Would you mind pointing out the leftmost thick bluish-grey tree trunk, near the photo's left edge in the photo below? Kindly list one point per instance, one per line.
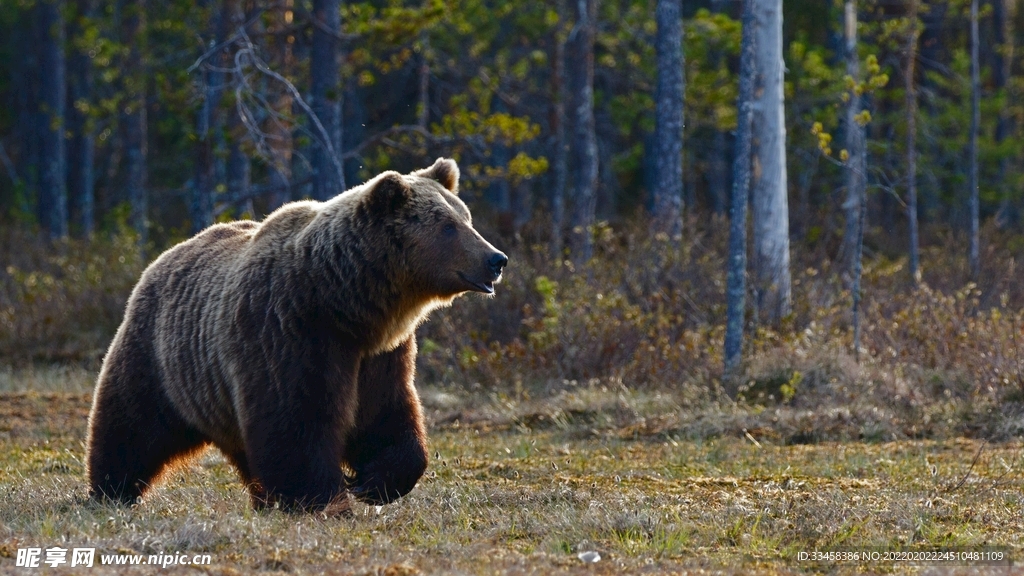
(53, 191)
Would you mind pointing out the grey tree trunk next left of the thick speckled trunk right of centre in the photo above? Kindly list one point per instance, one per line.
(585, 138)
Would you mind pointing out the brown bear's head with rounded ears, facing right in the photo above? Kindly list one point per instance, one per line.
(444, 255)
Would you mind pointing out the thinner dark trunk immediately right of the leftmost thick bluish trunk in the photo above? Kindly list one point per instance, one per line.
(81, 147)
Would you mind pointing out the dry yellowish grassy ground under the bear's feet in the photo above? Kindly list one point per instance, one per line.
(515, 491)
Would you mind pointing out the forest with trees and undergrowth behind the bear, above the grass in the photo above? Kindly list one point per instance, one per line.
(608, 146)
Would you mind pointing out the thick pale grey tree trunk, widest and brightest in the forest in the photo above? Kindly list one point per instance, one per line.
(772, 219)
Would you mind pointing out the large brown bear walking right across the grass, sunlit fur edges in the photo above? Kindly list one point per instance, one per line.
(289, 345)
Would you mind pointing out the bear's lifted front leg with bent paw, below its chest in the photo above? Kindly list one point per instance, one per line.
(388, 449)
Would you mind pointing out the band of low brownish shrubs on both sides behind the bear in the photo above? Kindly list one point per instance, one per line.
(648, 314)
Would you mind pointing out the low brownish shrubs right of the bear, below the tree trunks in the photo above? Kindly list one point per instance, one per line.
(942, 358)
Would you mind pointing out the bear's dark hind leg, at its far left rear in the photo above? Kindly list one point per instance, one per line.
(135, 433)
